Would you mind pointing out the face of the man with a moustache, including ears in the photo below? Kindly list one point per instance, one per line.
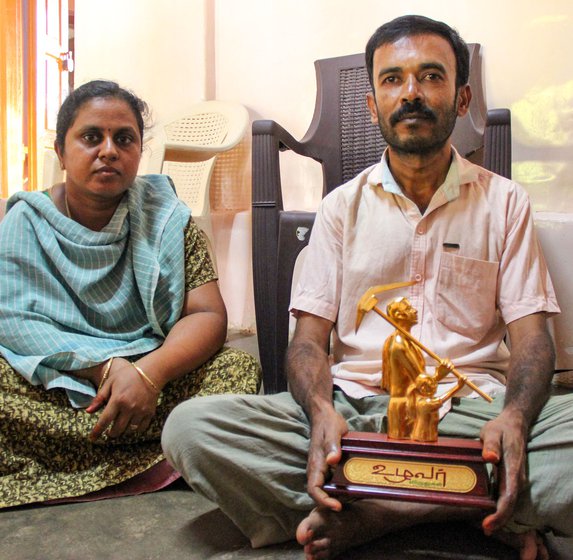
(415, 101)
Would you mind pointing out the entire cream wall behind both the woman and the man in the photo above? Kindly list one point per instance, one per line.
(263, 58)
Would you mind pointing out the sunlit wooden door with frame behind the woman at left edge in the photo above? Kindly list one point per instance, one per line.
(34, 54)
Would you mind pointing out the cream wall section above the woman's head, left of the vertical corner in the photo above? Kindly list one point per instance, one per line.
(156, 48)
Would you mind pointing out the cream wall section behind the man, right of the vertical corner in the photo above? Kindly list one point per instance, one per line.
(526, 59)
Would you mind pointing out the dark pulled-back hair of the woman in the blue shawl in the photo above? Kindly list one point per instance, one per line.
(91, 90)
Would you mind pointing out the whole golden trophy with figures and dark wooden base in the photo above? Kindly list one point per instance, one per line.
(410, 462)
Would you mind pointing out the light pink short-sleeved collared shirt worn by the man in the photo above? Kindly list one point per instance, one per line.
(474, 255)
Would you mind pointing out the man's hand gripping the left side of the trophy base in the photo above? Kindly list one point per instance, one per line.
(324, 453)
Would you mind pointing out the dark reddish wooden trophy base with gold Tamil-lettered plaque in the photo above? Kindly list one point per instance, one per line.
(449, 471)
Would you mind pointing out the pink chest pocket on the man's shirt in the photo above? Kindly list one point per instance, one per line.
(466, 295)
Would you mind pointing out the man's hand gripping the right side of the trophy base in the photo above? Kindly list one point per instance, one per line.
(505, 443)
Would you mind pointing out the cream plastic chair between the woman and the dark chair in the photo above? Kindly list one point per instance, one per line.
(191, 146)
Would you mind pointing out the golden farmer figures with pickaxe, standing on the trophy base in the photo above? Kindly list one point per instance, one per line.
(413, 407)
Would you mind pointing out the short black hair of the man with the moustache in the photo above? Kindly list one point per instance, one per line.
(407, 26)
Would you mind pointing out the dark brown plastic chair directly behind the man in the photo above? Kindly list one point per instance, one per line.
(342, 138)
